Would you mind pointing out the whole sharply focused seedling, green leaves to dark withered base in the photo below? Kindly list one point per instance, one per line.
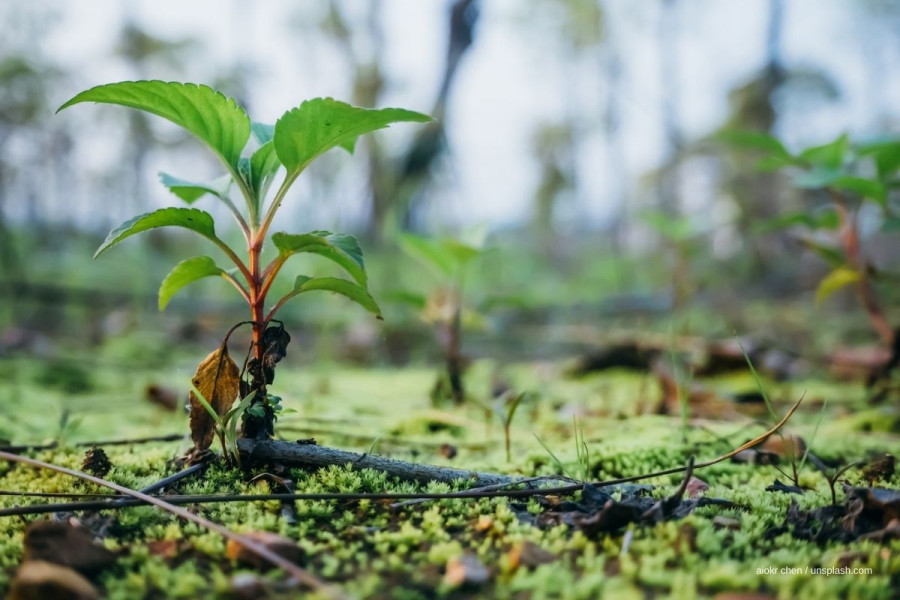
(297, 138)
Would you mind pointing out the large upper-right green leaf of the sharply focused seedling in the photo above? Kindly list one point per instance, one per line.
(317, 125)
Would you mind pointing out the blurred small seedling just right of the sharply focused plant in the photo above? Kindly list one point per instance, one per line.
(448, 259)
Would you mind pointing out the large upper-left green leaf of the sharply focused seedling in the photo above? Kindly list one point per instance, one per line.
(216, 120)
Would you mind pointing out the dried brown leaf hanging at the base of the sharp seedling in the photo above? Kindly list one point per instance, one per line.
(218, 379)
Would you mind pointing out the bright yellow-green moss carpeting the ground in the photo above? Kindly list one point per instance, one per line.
(372, 550)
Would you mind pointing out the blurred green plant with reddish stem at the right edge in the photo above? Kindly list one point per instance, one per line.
(851, 177)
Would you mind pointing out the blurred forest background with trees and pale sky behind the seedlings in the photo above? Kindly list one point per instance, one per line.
(580, 134)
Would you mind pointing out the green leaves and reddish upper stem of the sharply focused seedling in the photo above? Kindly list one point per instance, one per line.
(252, 167)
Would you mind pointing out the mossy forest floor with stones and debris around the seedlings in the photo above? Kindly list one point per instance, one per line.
(755, 543)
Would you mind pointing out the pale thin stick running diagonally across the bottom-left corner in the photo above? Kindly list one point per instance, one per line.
(293, 570)
